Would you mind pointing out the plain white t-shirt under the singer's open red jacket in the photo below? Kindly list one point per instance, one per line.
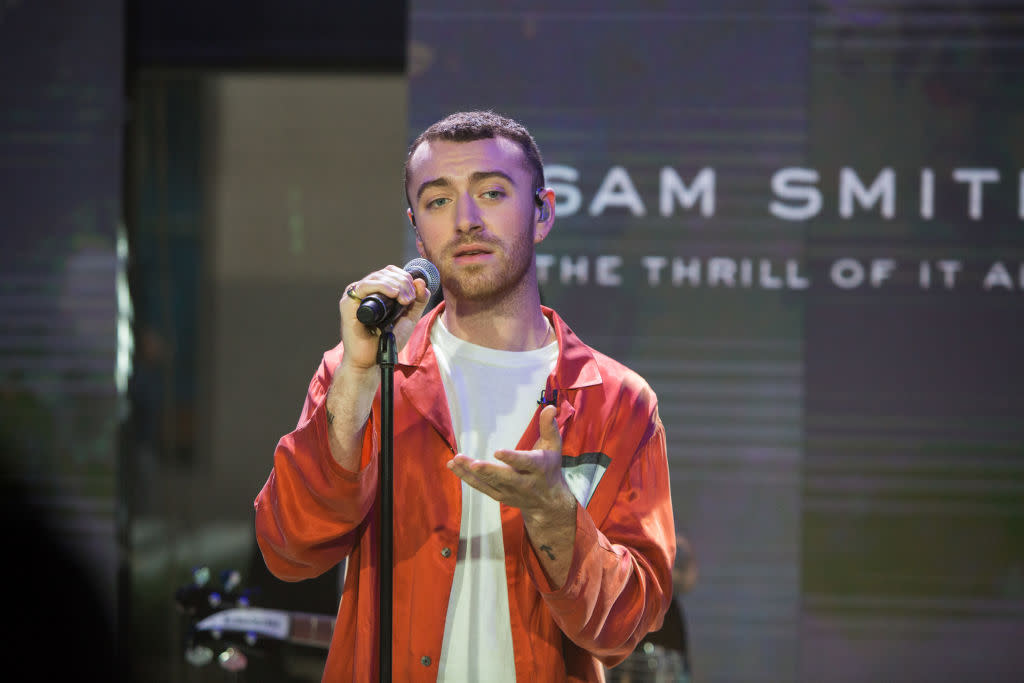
(492, 398)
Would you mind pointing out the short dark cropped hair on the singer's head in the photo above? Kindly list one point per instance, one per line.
(471, 126)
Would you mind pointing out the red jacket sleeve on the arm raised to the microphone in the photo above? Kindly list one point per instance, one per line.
(311, 510)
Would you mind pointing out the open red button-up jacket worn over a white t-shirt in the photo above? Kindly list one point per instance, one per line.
(312, 515)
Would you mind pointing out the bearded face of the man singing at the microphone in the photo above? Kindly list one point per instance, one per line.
(476, 217)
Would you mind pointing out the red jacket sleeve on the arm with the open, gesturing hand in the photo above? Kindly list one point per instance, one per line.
(620, 582)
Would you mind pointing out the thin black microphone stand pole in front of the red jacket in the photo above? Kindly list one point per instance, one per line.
(387, 358)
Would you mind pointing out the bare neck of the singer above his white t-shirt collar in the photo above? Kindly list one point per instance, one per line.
(508, 328)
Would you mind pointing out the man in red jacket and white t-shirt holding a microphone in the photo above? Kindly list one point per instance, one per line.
(532, 543)
